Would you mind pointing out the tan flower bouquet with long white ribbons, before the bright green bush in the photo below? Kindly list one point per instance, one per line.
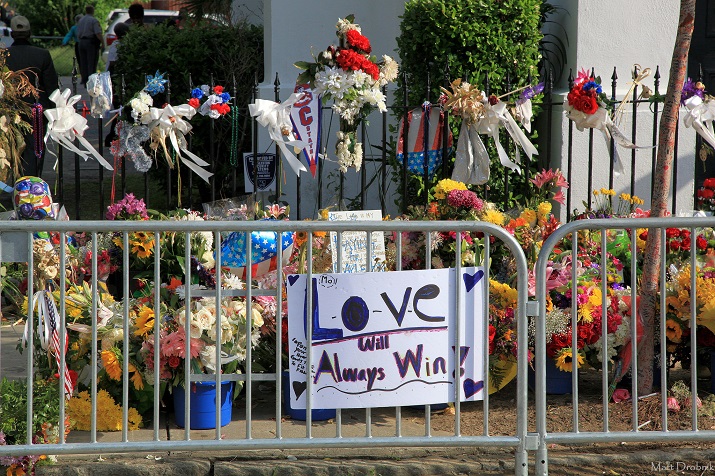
(482, 115)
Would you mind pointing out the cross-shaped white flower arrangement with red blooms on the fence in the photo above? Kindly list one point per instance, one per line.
(353, 78)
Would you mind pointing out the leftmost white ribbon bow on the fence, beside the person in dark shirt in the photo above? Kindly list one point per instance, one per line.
(65, 125)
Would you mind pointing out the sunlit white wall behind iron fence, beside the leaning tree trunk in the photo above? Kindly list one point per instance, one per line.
(613, 33)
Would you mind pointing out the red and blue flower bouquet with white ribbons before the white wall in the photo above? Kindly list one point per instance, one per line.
(587, 106)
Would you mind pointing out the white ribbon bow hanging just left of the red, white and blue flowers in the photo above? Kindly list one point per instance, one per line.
(168, 122)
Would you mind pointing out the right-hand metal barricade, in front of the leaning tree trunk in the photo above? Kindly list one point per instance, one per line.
(567, 239)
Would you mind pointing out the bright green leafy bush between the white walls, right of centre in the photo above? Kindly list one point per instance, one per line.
(477, 40)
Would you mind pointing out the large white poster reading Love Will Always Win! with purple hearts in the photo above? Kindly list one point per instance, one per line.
(387, 339)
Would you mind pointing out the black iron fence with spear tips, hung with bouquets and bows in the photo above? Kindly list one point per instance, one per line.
(567, 152)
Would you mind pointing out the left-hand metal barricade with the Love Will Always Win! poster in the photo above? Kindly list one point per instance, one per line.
(16, 245)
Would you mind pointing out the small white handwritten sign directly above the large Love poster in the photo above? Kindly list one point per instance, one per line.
(353, 244)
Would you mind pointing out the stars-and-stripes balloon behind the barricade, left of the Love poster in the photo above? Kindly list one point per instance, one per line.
(264, 256)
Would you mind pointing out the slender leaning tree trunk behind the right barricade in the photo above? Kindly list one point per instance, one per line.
(661, 191)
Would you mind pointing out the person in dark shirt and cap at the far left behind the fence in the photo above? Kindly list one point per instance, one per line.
(40, 70)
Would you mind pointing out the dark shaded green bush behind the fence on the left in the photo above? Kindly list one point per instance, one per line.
(193, 56)
